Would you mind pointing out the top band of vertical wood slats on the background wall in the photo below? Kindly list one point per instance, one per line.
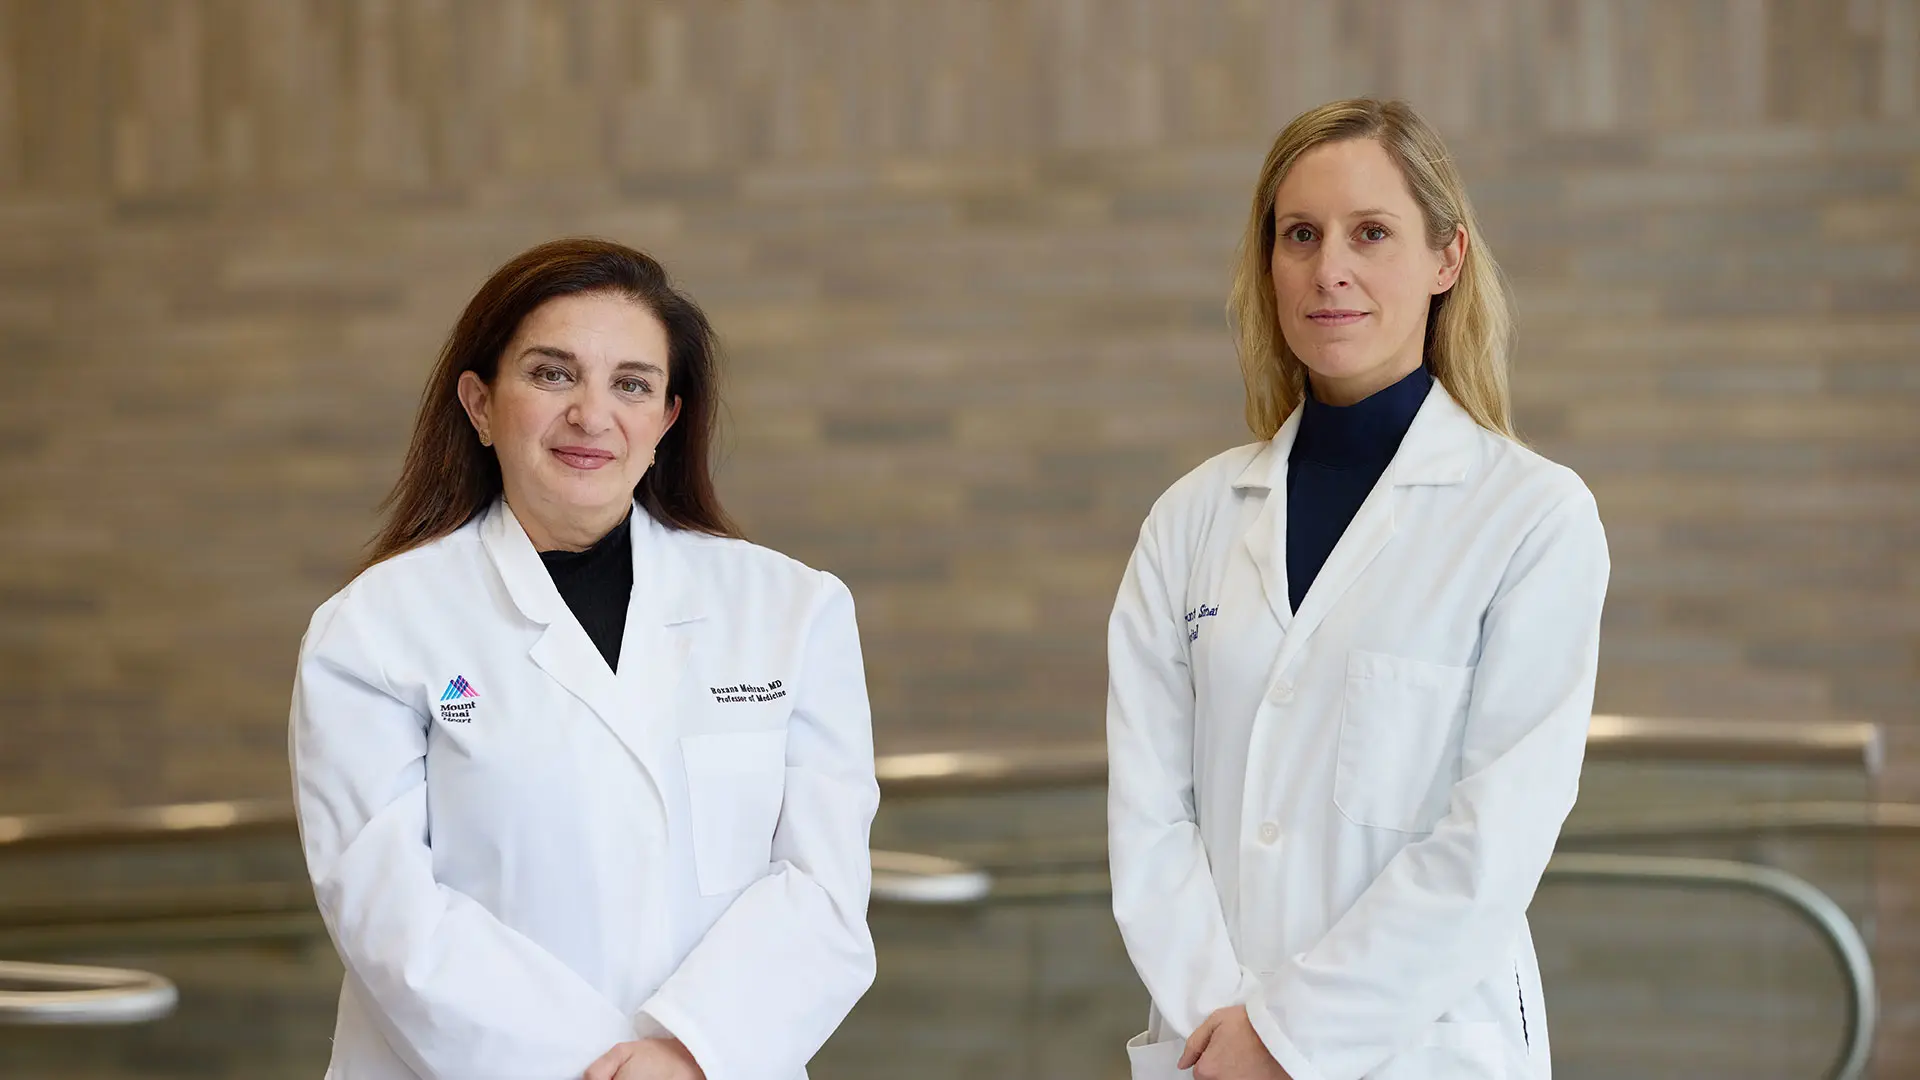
(216, 95)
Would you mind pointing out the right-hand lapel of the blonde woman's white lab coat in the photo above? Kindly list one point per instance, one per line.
(1437, 451)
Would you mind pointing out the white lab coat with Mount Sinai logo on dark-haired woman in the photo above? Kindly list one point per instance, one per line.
(525, 858)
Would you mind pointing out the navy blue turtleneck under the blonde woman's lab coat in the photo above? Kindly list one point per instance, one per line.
(1339, 456)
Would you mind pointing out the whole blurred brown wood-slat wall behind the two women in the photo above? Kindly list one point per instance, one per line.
(971, 260)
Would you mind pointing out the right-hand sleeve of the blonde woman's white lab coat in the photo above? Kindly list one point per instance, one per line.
(1447, 910)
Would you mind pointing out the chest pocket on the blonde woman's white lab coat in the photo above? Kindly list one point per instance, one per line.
(1401, 737)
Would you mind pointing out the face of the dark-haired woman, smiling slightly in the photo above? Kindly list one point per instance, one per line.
(575, 410)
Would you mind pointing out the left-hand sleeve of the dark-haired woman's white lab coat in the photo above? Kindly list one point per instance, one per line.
(458, 994)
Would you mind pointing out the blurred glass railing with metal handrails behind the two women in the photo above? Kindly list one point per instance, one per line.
(1700, 921)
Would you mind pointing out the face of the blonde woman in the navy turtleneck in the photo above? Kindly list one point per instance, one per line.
(1353, 274)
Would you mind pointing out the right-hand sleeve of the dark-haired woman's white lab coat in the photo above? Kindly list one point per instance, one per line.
(788, 960)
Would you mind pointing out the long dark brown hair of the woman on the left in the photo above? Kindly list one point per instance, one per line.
(450, 478)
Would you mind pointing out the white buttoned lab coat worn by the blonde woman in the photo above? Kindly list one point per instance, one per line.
(1339, 816)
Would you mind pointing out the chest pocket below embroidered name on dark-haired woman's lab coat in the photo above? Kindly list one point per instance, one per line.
(734, 785)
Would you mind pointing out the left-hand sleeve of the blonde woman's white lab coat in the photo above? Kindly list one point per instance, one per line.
(1164, 895)
